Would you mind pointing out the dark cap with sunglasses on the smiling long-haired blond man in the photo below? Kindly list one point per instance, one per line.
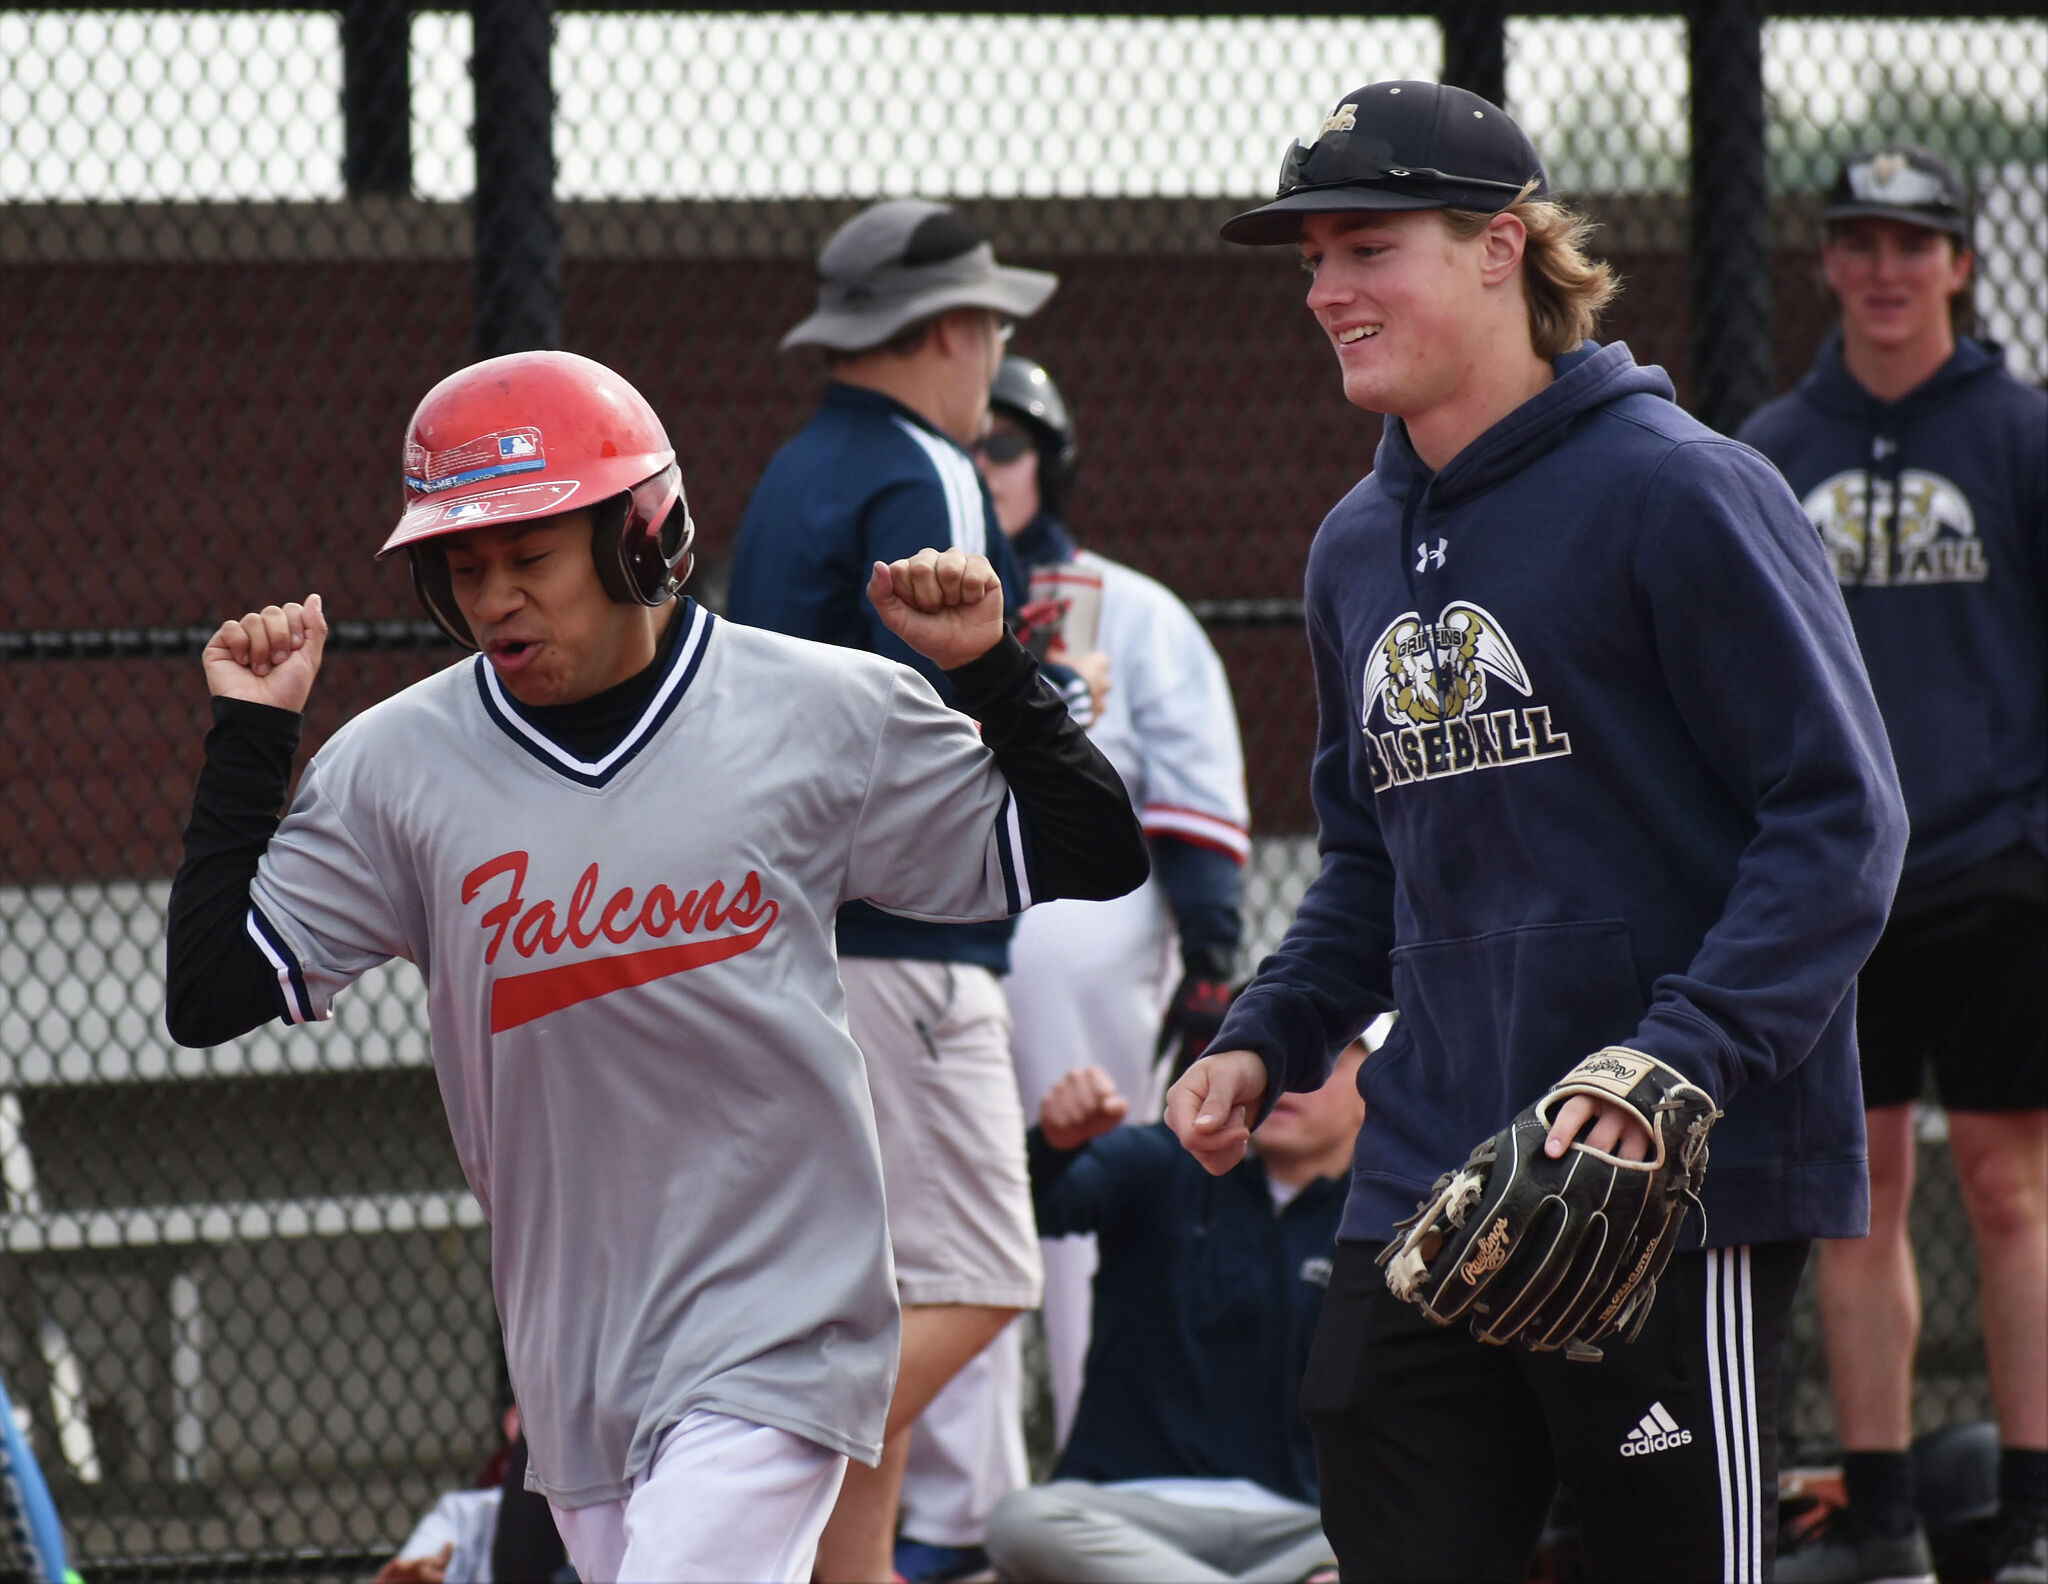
(1400, 147)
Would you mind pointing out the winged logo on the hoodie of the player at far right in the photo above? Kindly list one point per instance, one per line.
(1914, 530)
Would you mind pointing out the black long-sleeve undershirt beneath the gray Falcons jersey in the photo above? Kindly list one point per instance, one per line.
(1082, 837)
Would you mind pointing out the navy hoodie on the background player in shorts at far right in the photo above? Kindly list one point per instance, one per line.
(1934, 513)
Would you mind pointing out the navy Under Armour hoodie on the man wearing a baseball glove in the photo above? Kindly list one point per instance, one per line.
(1596, 763)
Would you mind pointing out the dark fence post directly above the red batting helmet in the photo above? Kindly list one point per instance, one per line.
(519, 233)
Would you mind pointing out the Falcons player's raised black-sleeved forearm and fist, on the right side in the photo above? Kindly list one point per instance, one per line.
(1078, 835)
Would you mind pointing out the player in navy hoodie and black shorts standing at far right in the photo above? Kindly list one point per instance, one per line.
(1924, 464)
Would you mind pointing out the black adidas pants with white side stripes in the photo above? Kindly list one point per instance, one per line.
(1439, 1454)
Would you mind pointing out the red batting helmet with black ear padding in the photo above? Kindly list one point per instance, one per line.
(534, 435)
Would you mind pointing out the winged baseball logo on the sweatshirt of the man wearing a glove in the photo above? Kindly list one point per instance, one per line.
(1431, 685)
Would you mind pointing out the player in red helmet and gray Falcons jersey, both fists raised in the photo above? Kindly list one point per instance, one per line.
(615, 843)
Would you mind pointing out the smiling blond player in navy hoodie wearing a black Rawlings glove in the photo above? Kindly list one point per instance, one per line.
(1598, 772)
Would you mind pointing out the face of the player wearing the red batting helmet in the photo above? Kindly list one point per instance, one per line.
(534, 601)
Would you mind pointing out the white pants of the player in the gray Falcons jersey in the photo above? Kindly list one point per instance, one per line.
(722, 1501)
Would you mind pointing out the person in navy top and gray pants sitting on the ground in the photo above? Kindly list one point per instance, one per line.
(1189, 1456)
